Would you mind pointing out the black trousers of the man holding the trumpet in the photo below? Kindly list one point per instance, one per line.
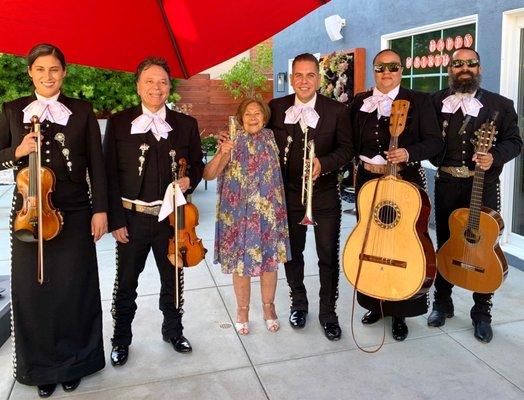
(327, 215)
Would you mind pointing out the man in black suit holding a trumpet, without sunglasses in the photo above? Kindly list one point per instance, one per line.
(326, 122)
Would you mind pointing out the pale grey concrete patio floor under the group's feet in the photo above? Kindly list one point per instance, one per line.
(432, 363)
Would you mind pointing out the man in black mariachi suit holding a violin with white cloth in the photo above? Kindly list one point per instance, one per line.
(141, 146)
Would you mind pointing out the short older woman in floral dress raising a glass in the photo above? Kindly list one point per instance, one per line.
(251, 232)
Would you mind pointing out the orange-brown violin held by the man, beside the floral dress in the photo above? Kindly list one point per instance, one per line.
(191, 251)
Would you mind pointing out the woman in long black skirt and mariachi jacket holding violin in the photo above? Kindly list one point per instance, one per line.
(57, 319)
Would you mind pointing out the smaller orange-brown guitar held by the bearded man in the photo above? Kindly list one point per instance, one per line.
(472, 257)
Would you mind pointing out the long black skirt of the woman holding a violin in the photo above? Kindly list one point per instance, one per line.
(57, 326)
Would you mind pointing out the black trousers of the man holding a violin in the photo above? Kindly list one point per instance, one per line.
(145, 233)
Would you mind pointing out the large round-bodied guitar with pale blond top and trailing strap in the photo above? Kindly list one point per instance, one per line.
(384, 256)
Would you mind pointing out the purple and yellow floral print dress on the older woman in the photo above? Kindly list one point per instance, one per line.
(251, 231)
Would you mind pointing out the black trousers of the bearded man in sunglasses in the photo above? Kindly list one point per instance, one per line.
(452, 193)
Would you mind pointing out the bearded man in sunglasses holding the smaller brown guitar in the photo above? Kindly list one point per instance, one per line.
(461, 109)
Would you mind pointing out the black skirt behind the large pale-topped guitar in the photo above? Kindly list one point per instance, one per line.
(413, 306)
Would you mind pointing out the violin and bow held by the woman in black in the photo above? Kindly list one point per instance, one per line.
(37, 220)
